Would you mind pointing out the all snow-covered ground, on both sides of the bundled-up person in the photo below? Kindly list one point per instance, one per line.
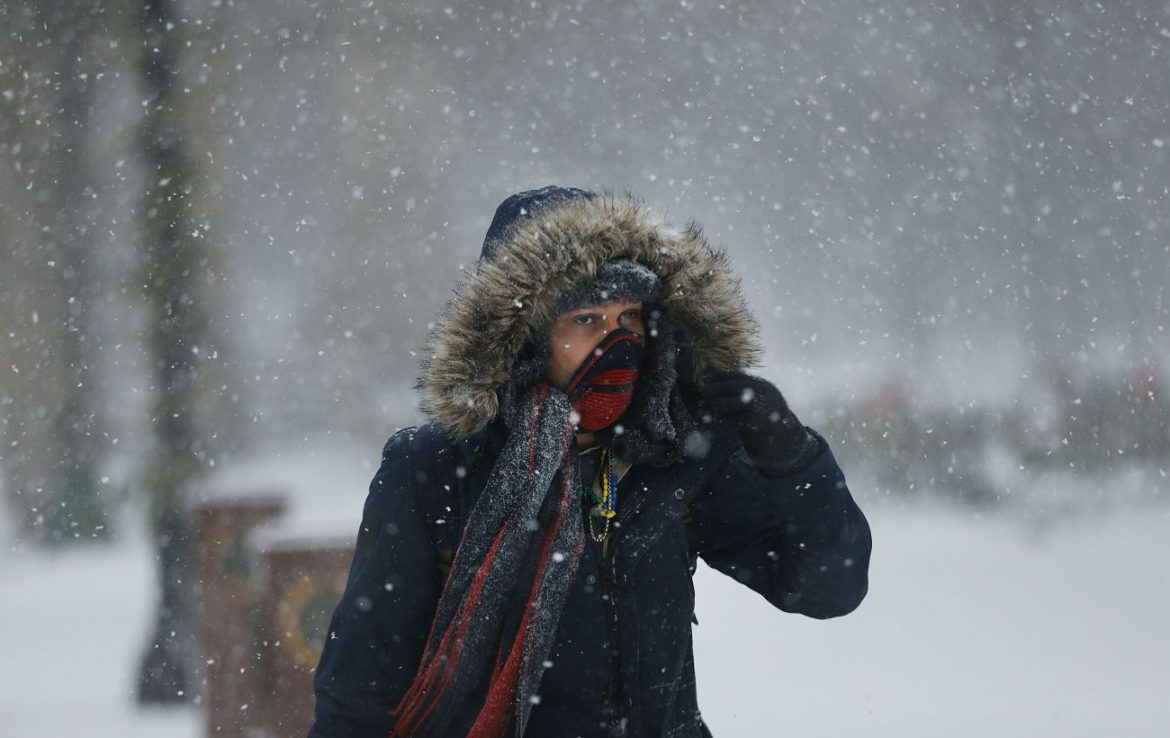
(973, 629)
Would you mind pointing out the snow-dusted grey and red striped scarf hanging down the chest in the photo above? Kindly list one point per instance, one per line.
(495, 620)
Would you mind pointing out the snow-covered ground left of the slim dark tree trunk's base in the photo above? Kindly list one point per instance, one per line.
(72, 629)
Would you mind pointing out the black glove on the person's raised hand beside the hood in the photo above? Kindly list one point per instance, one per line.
(756, 411)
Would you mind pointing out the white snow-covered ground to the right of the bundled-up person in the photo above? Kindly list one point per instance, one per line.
(972, 629)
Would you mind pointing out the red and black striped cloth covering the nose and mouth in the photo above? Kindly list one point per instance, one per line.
(603, 387)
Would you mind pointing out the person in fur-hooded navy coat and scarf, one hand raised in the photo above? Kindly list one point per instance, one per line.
(525, 561)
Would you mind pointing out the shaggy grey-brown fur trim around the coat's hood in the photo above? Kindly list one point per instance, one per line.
(512, 299)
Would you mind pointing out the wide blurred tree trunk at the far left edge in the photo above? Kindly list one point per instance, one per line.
(51, 420)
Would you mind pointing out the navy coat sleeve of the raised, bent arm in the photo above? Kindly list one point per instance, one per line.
(800, 540)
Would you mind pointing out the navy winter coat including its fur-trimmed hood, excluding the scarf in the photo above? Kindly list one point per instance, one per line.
(622, 664)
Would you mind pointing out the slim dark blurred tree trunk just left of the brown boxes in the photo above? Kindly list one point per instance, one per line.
(175, 264)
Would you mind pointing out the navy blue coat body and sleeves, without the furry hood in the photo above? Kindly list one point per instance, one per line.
(623, 658)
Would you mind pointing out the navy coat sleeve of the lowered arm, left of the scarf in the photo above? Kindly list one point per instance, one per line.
(380, 629)
